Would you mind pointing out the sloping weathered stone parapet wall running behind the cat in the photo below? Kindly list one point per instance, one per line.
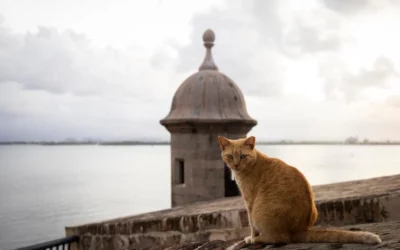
(347, 203)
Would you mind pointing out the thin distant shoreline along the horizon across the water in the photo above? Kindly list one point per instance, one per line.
(140, 143)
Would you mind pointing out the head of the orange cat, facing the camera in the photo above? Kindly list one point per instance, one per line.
(238, 154)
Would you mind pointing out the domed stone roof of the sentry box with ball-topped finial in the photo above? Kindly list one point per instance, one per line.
(208, 96)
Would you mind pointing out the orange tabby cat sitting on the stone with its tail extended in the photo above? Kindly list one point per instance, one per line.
(279, 200)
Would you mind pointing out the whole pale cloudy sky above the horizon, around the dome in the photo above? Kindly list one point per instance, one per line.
(309, 70)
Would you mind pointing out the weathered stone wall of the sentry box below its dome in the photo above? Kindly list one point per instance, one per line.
(204, 168)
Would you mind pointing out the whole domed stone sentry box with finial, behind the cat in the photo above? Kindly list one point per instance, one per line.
(207, 104)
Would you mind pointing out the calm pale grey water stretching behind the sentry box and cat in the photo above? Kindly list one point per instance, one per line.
(45, 188)
